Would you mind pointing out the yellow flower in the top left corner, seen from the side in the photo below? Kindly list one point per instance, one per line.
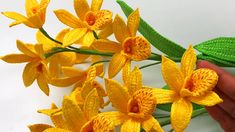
(36, 13)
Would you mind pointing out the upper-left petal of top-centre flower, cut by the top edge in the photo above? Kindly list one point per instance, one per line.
(81, 7)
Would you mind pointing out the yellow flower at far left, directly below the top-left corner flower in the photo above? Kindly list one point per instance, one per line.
(35, 69)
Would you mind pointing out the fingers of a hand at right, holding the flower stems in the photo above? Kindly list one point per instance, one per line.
(224, 112)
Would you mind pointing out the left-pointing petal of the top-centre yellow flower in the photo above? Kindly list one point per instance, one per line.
(68, 19)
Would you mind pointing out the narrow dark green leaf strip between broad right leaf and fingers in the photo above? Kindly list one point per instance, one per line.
(216, 61)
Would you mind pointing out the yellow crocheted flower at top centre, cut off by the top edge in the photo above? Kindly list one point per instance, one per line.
(90, 19)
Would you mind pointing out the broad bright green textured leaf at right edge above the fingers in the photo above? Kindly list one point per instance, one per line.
(222, 48)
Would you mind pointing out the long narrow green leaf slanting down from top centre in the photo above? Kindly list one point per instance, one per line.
(157, 40)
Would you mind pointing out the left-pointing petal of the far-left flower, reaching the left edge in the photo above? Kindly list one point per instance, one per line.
(16, 58)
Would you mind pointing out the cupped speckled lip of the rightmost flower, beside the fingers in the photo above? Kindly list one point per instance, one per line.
(201, 81)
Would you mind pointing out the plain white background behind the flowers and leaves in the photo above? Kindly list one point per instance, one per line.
(183, 21)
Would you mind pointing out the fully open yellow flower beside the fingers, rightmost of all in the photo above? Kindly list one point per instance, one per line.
(186, 86)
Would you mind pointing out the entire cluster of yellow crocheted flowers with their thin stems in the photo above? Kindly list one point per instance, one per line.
(51, 61)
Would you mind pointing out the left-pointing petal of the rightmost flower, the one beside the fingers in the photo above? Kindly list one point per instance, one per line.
(164, 96)
